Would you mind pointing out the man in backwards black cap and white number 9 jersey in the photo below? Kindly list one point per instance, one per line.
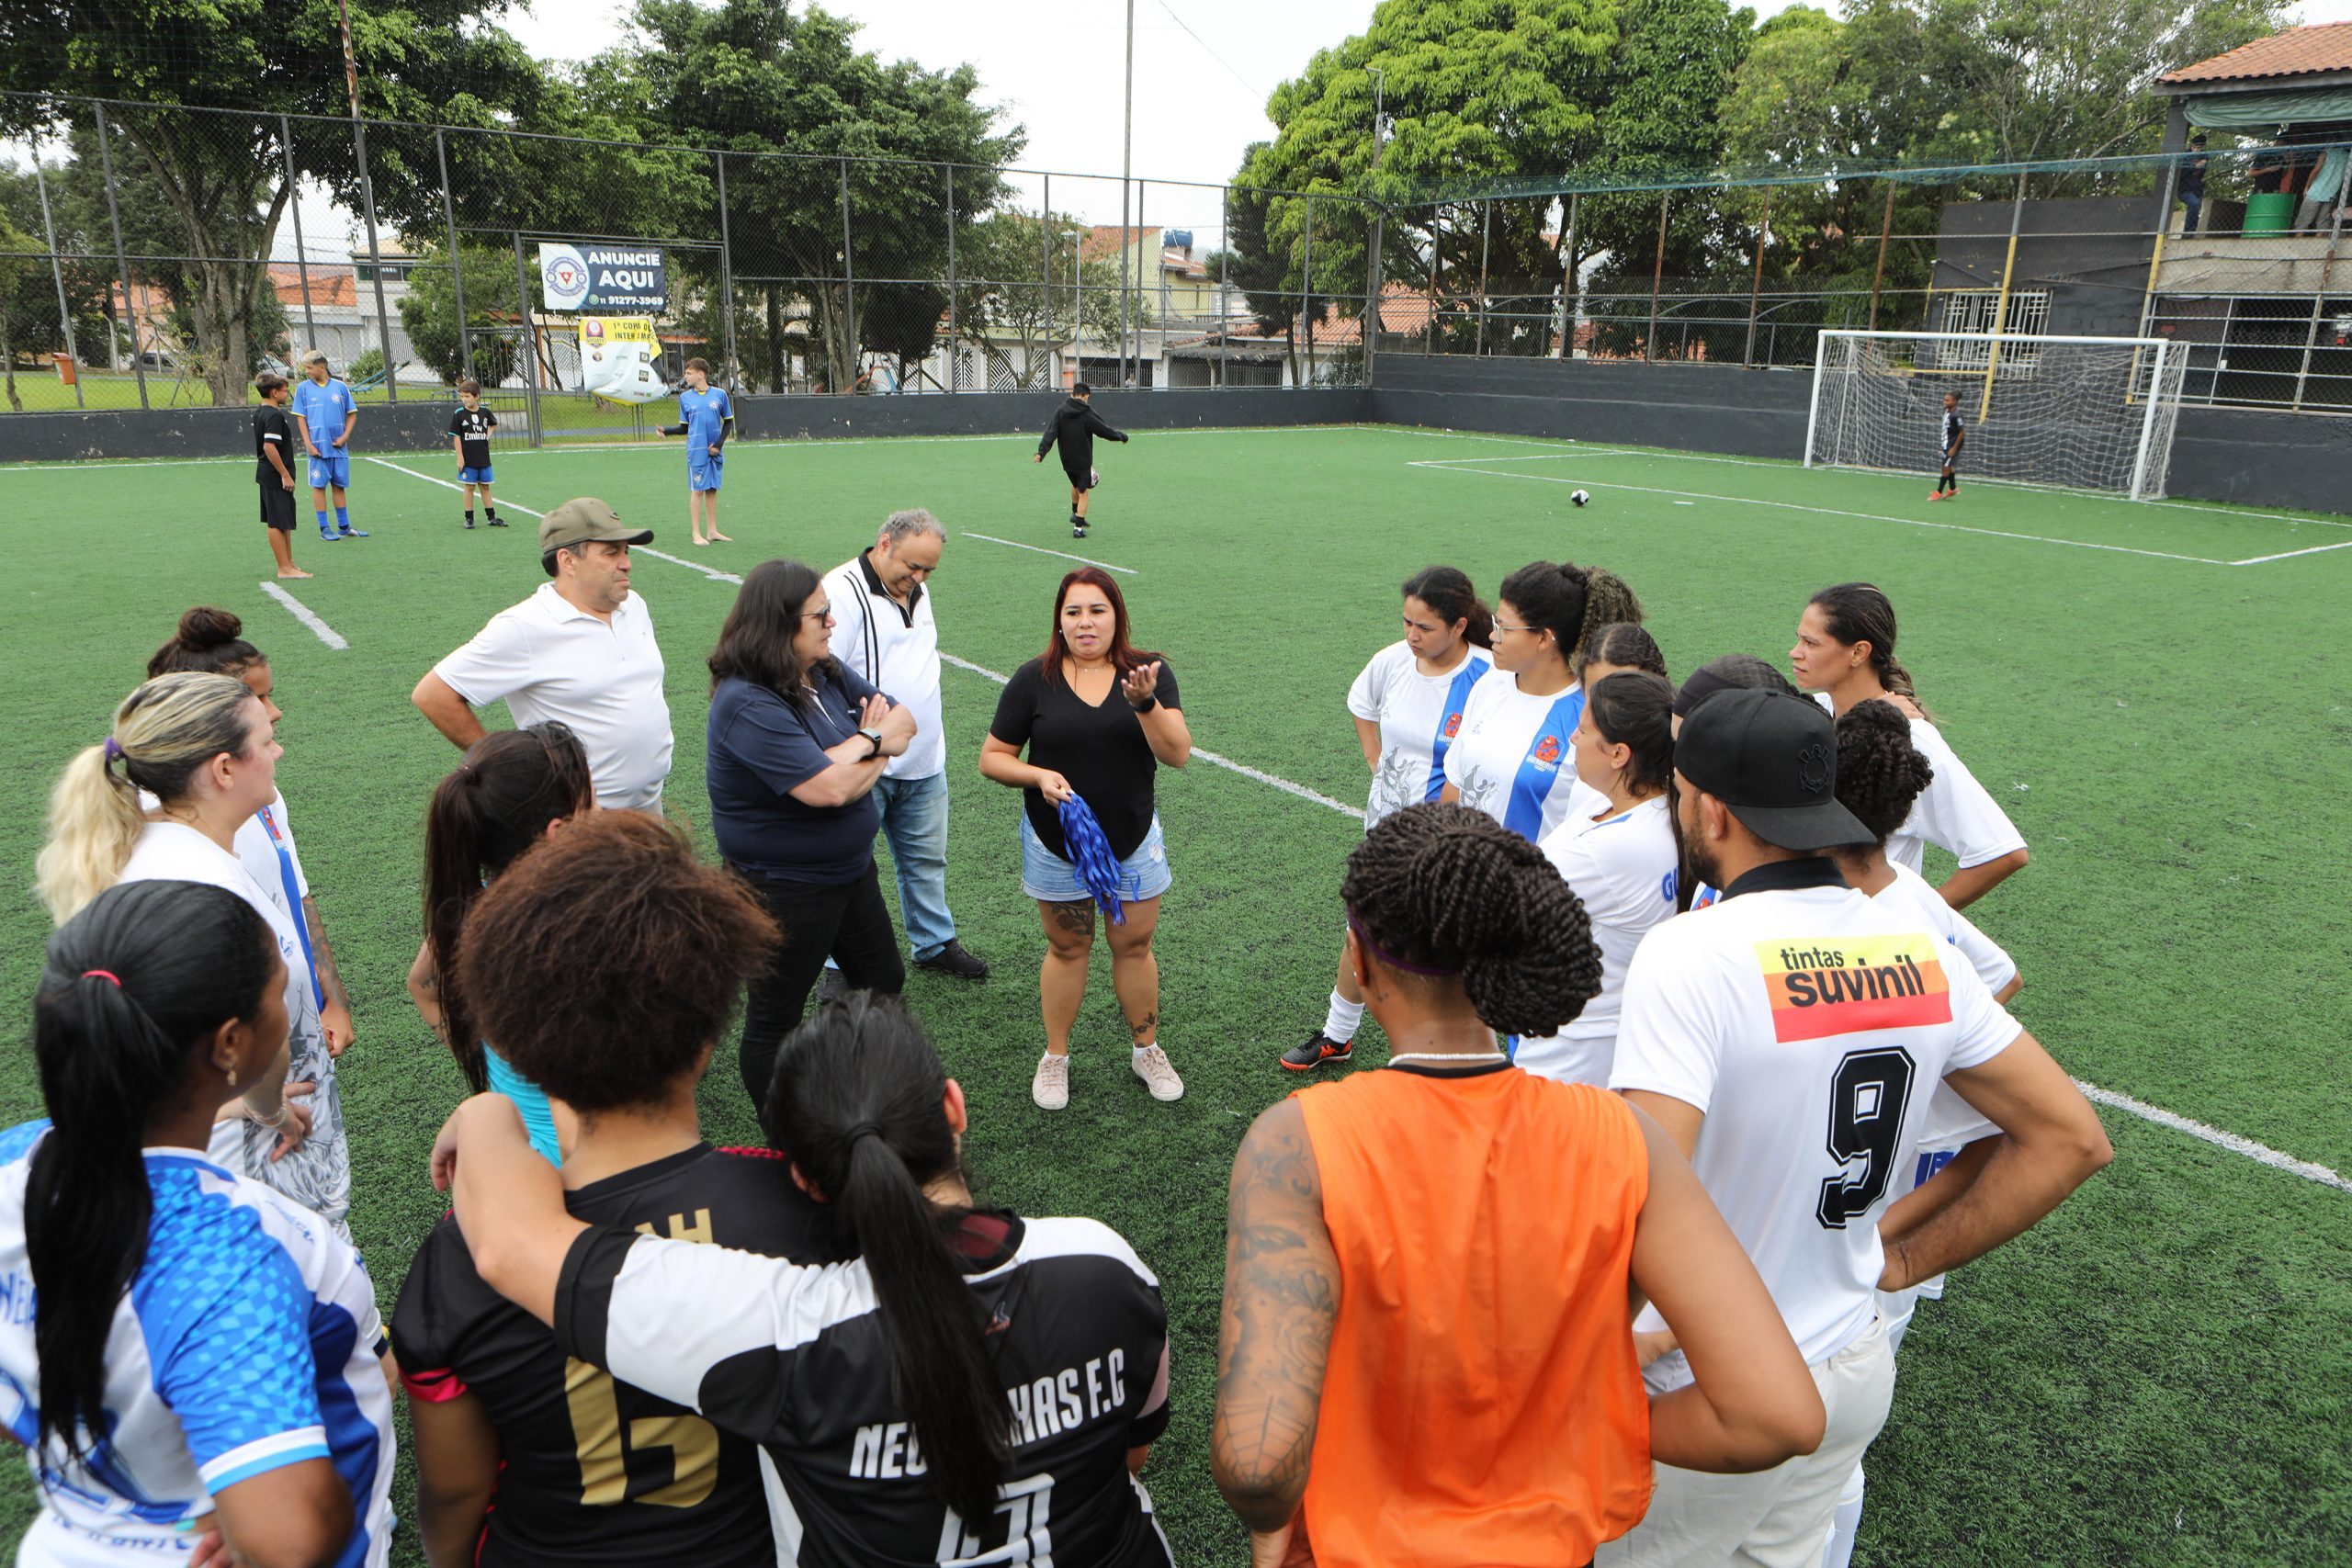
(1789, 1038)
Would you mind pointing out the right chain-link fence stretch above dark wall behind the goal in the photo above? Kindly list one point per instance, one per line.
(2238, 255)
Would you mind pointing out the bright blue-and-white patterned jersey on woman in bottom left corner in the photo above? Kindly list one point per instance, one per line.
(246, 1343)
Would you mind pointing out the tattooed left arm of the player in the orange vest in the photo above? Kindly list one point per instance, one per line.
(1283, 1299)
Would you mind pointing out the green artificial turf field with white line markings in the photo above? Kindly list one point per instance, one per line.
(2158, 695)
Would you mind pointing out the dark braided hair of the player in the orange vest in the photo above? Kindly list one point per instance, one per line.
(1450, 890)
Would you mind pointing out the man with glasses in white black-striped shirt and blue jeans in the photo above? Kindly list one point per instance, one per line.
(883, 629)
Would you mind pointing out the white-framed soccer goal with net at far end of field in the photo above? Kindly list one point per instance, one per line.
(2038, 410)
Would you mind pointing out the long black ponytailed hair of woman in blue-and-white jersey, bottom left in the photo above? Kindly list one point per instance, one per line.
(133, 986)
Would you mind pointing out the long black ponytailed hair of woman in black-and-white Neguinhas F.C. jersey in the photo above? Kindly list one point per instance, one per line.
(857, 1104)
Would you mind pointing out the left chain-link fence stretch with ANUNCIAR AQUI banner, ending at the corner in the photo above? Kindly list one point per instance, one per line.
(161, 257)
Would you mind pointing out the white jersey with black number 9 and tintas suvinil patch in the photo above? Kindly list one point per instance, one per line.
(1812, 1026)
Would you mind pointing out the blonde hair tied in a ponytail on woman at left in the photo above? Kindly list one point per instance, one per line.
(163, 735)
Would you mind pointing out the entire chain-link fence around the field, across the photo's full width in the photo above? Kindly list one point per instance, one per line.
(159, 257)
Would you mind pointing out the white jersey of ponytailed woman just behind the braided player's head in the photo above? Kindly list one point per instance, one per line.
(1624, 871)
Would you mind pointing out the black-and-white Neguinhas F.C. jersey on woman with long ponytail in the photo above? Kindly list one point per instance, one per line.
(796, 1360)
